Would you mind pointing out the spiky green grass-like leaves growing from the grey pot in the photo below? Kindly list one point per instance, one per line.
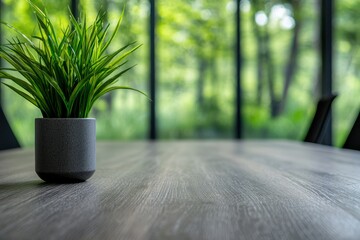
(67, 74)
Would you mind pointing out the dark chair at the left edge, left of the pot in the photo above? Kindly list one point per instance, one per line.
(7, 137)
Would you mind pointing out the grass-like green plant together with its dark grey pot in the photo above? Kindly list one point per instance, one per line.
(63, 75)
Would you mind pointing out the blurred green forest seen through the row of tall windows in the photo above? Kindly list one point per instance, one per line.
(195, 68)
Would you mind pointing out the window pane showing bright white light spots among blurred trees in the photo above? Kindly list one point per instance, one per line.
(280, 69)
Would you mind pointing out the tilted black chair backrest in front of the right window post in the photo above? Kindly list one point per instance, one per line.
(320, 120)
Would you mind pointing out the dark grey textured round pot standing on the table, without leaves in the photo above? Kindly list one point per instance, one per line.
(65, 149)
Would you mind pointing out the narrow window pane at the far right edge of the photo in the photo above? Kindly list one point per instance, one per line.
(346, 67)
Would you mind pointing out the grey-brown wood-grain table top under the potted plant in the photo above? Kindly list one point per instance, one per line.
(189, 190)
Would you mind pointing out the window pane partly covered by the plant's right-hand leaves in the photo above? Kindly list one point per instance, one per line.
(123, 114)
